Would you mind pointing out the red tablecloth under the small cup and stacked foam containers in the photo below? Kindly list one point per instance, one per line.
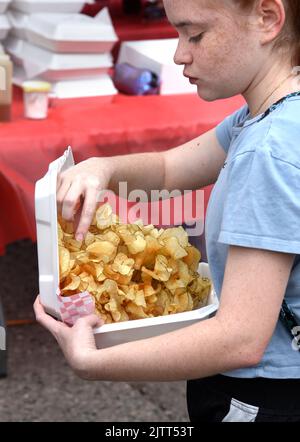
(93, 127)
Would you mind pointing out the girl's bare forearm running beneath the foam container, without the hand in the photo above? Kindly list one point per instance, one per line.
(200, 350)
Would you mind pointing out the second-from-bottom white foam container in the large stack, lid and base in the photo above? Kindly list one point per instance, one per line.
(56, 67)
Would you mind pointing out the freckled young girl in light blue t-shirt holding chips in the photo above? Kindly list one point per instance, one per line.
(240, 364)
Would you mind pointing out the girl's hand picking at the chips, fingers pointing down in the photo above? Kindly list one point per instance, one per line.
(78, 188)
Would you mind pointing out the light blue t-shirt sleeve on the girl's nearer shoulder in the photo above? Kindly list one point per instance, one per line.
(262, 206)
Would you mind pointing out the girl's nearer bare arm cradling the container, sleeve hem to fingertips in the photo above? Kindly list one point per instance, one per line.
(253, 289)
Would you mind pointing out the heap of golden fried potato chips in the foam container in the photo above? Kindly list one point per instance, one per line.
(132, 271)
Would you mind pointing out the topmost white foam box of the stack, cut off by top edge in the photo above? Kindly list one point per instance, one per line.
(34, 6)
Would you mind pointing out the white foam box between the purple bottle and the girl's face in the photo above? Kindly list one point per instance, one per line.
(158, 57)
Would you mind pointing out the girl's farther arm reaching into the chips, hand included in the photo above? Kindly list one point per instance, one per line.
(191, 166)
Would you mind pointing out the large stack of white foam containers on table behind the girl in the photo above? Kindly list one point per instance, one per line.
(50, 40)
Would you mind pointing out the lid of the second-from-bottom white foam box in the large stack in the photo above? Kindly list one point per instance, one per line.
(37, 60)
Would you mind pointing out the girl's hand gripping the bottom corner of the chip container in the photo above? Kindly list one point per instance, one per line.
(77, 342)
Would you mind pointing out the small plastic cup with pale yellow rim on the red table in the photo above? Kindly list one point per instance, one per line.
(36, 99)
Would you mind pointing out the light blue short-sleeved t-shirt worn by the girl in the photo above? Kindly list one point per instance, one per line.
(256, 203)
